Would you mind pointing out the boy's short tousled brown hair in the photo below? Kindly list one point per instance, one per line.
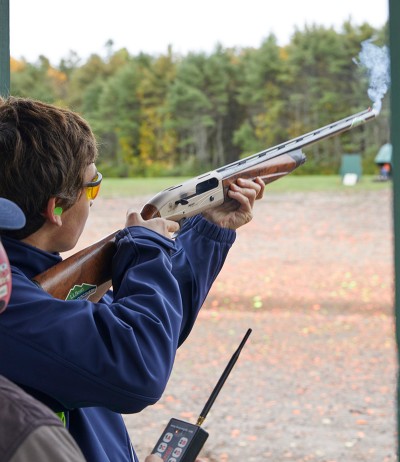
(44, 153)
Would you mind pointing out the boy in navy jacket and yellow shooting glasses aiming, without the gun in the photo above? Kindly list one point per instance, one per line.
(93, 361)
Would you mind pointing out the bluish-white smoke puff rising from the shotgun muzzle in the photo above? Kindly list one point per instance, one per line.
(376, 61)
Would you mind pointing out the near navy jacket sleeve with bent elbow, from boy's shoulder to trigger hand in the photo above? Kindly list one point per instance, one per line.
(80, 353)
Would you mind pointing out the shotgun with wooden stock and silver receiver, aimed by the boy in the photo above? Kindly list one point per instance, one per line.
(87, 274)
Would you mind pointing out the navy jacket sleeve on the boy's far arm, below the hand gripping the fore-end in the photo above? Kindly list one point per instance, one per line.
(202, 248)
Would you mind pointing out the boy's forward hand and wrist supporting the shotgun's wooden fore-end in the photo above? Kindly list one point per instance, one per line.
(236, 213)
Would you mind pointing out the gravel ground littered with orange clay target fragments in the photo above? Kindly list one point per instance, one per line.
(312, 275)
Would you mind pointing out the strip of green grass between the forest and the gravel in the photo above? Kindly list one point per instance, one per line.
(130, 187)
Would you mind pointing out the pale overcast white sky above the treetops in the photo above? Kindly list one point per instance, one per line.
(53, 27)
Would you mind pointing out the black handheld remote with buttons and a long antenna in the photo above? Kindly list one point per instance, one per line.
(182, 441)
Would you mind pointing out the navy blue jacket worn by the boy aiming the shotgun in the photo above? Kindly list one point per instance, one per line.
(96, 360)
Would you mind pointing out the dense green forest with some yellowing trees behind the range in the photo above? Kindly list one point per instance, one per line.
(176, 115)
